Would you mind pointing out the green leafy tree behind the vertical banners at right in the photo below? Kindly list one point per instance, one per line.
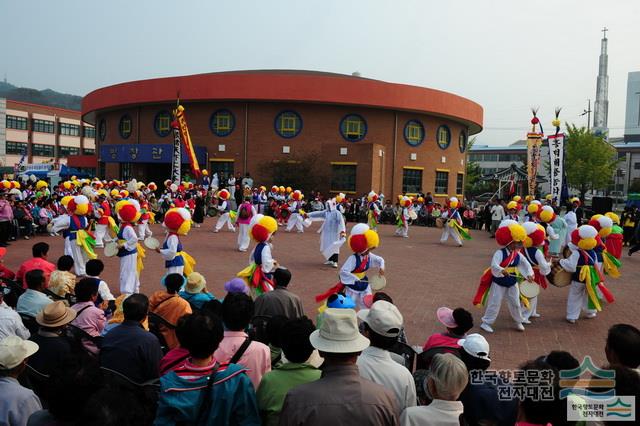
(590, 161)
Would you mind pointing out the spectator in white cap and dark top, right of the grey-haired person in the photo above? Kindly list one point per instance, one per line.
(480, 400)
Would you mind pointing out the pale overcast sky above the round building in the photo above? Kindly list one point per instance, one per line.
(507, 55)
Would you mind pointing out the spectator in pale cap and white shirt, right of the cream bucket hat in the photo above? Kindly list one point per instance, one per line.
(382, 325)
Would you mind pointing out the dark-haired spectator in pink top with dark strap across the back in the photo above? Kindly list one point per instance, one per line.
(237, 311)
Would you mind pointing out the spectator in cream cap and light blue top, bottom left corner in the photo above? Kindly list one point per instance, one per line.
(17, 402)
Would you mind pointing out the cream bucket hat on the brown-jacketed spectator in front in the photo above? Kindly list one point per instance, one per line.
(339, 333)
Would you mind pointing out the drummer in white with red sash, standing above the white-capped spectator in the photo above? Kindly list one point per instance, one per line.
(500, 280)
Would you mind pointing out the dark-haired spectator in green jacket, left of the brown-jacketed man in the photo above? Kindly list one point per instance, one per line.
(284, 377)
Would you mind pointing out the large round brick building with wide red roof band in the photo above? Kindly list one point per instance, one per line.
(365, 134)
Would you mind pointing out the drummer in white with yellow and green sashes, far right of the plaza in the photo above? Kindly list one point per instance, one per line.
(587, 286)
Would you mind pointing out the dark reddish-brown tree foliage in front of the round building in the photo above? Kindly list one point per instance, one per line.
(298, 172)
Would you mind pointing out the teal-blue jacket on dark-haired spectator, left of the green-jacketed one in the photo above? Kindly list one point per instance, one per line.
(234, 399)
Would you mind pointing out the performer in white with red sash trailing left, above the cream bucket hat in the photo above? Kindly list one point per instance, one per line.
(354, 282)
